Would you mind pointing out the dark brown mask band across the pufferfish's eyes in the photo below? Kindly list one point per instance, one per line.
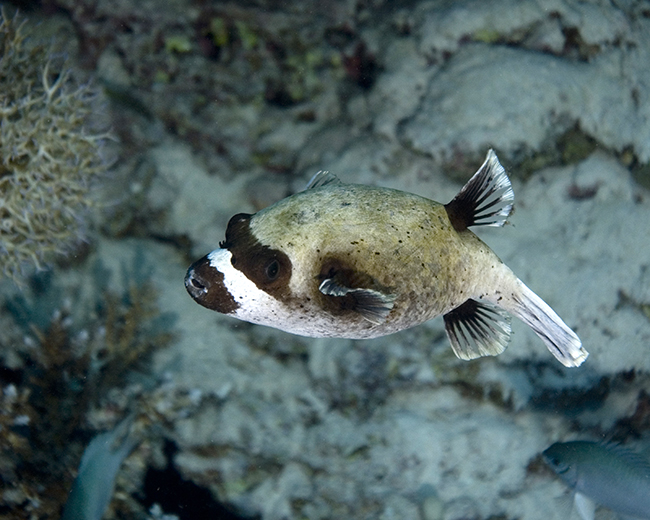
(269, 269)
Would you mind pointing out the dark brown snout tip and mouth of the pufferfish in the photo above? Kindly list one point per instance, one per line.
(205, 284)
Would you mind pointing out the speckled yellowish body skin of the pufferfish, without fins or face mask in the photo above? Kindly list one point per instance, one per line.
(406, 243)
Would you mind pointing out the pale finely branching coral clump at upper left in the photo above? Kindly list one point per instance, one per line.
(48, 159)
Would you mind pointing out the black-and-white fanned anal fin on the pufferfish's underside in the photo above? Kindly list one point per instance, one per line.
(477, 329)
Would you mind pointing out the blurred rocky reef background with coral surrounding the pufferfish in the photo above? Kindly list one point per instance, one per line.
(131, 131)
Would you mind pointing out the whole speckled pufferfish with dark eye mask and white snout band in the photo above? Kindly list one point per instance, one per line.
(354, 261)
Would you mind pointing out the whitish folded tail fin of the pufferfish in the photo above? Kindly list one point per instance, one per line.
(563, 343)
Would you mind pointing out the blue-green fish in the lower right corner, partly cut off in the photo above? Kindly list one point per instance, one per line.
(607, 475)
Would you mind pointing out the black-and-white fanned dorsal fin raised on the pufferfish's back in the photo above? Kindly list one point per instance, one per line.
(486, 199)
